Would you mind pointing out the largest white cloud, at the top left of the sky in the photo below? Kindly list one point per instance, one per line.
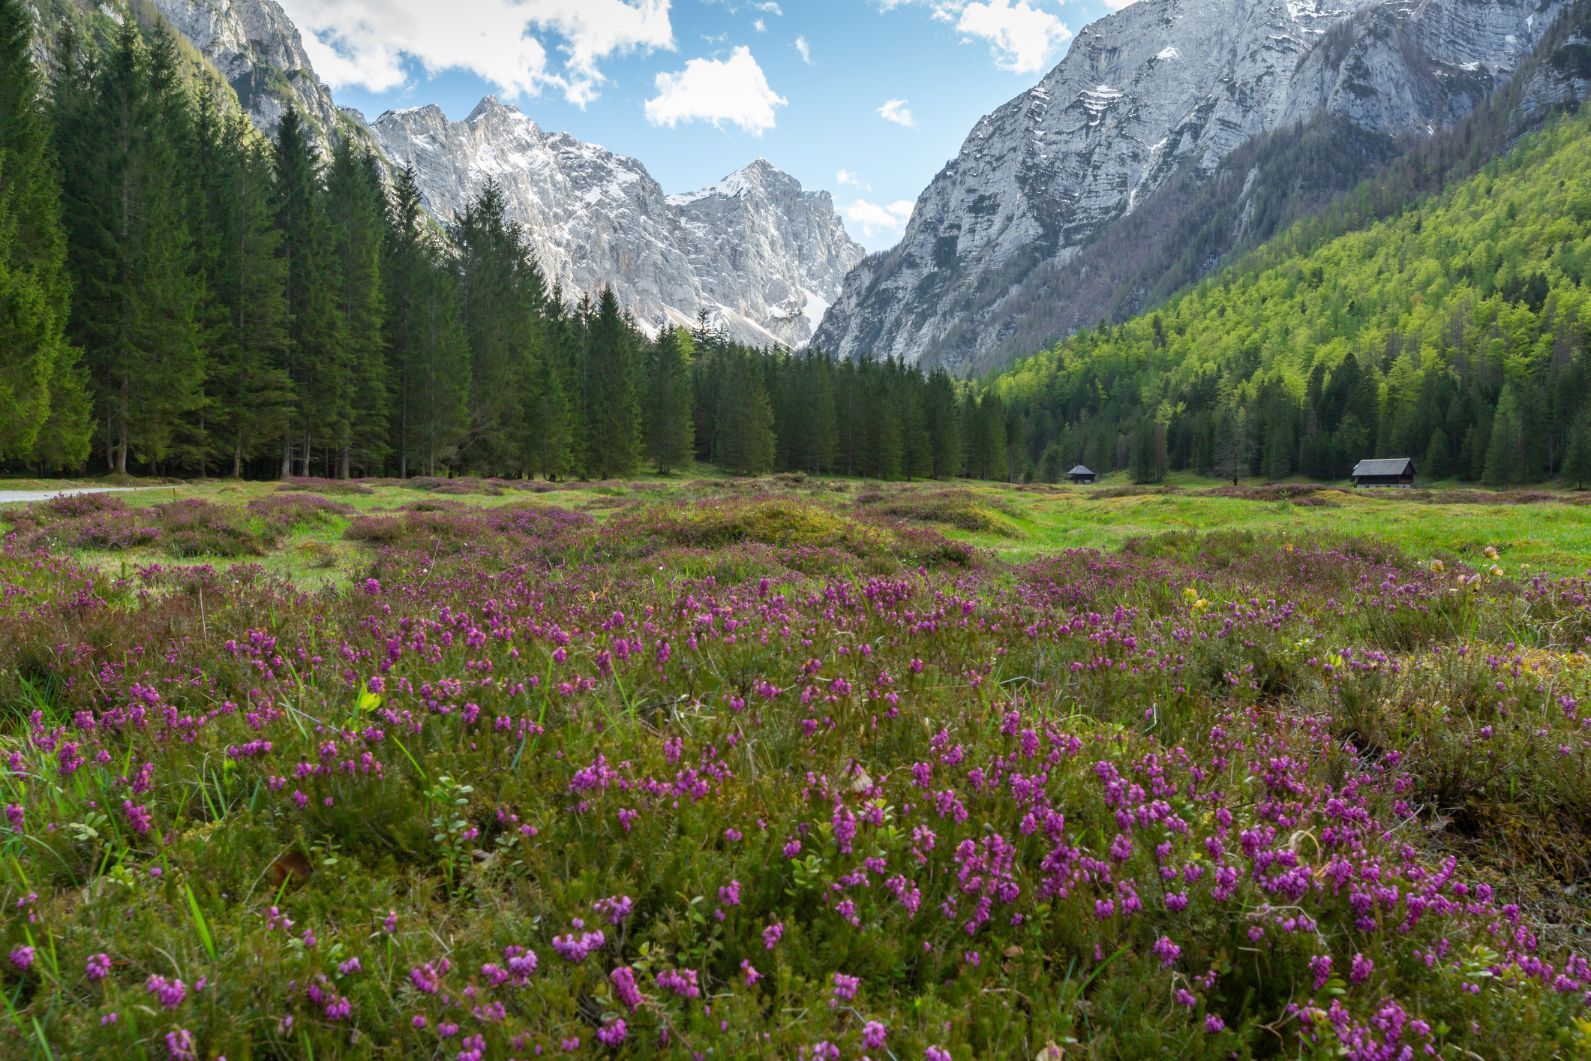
(505, 42)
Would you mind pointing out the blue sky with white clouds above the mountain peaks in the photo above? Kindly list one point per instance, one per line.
(866, 99)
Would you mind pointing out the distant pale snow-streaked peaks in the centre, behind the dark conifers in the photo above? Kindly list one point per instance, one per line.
(761, 255)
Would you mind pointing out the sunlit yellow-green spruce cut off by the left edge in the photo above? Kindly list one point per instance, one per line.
(44, 398)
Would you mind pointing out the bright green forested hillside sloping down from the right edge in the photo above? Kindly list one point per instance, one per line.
(1453, 333)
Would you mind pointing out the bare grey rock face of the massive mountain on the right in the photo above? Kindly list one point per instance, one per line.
(1161, 88)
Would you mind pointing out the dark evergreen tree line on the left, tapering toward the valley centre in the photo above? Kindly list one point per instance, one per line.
(181, 297)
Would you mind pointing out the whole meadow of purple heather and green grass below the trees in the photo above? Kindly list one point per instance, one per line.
(795, 768)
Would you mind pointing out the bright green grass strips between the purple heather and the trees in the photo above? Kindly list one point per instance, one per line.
(1550, 537)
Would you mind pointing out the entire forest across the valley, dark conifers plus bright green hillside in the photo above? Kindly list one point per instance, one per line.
(187, 298)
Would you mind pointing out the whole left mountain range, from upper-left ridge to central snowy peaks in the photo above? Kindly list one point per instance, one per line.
(758, 254)
